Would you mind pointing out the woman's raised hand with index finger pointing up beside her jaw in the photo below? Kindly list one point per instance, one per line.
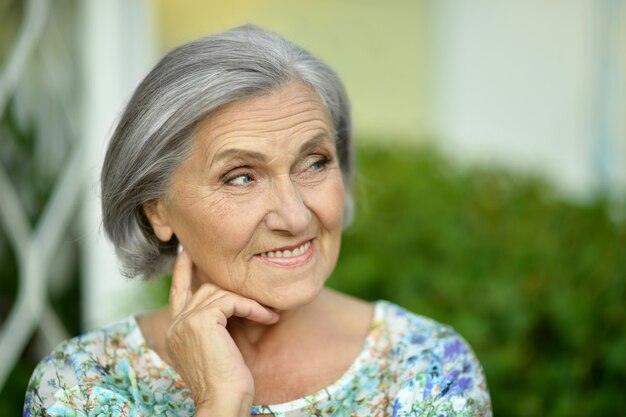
(202, 350)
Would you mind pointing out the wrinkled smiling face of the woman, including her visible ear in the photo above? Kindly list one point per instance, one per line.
(258, 205)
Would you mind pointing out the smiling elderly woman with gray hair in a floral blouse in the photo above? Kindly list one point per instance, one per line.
(231, 169)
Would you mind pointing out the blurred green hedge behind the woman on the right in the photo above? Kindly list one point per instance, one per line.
(536, 284)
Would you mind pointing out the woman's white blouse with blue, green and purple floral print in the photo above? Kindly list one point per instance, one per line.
(408, 366)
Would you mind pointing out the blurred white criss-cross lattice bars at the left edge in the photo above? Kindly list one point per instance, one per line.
(34, 247)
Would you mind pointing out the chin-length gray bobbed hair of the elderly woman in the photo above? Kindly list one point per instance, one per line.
(154, 134)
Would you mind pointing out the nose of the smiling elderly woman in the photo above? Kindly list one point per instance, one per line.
(287, 211)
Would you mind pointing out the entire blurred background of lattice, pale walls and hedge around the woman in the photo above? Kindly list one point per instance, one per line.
(491, 192)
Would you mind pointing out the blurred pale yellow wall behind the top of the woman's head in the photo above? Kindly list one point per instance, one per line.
(378, 48)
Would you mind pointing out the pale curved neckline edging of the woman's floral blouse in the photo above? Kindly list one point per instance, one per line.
(362, 358)
